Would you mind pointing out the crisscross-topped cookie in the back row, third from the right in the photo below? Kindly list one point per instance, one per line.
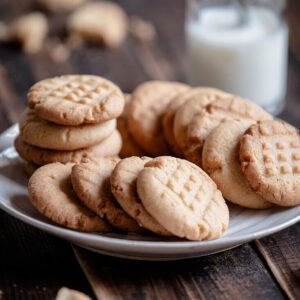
(204, 122)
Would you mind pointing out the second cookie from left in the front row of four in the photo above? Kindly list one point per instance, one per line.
(91, 182)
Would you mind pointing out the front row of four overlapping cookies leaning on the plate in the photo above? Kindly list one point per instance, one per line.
(165, 195)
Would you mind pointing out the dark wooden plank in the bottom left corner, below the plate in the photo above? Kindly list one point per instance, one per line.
(34, 265)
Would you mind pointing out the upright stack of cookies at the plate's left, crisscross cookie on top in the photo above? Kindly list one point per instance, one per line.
(70, 118)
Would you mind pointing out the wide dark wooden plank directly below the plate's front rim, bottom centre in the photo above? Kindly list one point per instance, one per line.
(234, 274)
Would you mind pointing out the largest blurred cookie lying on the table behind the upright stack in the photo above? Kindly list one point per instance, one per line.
(103, 22)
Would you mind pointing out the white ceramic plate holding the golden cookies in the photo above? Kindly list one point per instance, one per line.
(245, 224)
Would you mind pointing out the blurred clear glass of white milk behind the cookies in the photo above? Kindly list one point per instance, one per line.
(239, 46)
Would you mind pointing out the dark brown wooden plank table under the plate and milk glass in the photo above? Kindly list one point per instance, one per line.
(34, 265)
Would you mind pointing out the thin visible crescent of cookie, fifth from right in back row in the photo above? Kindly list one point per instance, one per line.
(169, 114)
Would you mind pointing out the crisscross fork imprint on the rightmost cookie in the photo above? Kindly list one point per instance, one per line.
(281, 157)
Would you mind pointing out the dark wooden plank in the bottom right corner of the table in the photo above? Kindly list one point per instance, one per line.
(282, 254)
